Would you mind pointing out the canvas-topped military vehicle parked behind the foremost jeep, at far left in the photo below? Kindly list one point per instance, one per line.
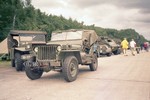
(18, 44)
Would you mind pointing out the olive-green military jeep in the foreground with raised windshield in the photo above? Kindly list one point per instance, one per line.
(66, 50)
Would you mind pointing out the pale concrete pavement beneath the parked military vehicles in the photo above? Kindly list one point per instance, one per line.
(117, 78)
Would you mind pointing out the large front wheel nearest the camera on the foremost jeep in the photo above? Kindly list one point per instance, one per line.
(70, 68)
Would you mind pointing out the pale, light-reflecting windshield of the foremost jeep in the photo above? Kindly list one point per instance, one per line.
(66, 36)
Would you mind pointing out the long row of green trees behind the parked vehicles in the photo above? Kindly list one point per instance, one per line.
(21, 15)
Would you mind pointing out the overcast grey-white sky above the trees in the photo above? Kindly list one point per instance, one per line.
(118, 14)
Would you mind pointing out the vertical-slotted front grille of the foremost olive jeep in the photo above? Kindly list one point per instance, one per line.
(47, 52)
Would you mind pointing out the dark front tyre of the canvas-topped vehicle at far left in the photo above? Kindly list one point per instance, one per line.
(18, 62)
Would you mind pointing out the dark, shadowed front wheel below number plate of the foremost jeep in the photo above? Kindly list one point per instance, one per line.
(33, 73)
